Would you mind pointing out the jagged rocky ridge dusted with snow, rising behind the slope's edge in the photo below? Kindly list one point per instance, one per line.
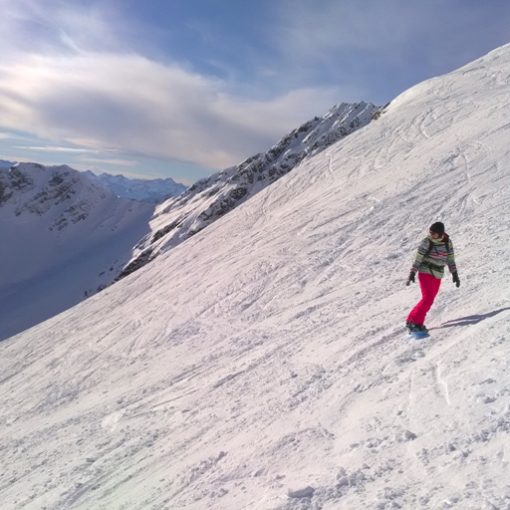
(181, 217)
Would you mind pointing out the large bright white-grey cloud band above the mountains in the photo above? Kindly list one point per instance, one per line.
(104, 101)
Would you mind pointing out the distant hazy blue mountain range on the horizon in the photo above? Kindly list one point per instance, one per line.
(143, 190)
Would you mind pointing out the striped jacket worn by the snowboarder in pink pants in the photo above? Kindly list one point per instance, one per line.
(433, 255)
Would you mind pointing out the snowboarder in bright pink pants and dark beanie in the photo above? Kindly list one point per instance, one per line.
(434, 252)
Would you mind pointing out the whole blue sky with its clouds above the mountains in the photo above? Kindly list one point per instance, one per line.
(182, 88)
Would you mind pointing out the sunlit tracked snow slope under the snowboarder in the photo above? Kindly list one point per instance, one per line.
(263, 363)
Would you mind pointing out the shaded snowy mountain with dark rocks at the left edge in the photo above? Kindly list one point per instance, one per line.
(62, 238)
